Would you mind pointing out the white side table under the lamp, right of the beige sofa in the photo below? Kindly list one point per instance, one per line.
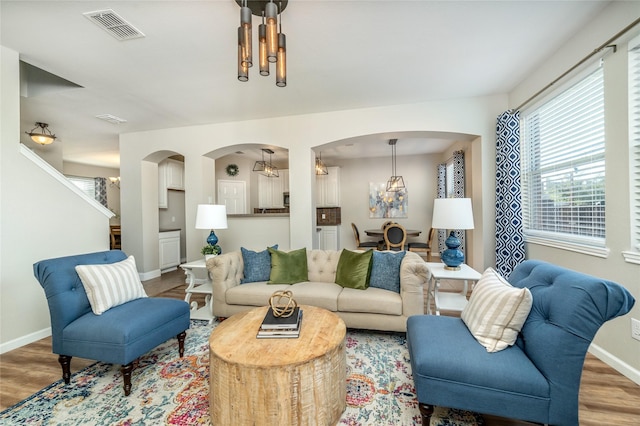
(448, 301)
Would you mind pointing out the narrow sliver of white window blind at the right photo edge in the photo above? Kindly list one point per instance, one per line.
(634, 138)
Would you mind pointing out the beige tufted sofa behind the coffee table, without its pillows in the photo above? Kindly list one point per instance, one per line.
(373, 308)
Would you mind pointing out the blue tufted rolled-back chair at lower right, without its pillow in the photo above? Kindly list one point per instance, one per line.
(538, 378)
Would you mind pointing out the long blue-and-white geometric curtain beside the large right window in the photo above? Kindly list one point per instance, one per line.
(509, 234)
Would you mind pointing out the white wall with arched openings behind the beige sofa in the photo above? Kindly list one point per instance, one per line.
(476, 116)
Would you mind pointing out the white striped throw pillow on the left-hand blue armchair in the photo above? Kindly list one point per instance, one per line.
(111, 284)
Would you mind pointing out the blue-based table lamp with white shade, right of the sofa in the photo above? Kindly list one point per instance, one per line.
(452, 214)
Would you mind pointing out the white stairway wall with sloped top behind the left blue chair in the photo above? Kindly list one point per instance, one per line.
(39, 219)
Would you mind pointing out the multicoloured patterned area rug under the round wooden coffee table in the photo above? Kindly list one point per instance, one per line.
(175, 391)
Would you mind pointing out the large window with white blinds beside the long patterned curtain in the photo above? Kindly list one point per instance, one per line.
(563, 171)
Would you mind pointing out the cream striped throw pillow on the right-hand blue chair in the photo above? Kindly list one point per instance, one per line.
(496, 311)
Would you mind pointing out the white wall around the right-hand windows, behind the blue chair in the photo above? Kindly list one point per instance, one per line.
(613, 343)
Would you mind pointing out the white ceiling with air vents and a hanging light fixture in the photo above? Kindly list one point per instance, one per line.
(340, 55)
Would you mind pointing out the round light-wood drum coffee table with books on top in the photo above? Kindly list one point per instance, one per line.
(299, 381)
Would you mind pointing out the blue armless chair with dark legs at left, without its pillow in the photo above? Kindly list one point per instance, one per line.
(118, 336)
